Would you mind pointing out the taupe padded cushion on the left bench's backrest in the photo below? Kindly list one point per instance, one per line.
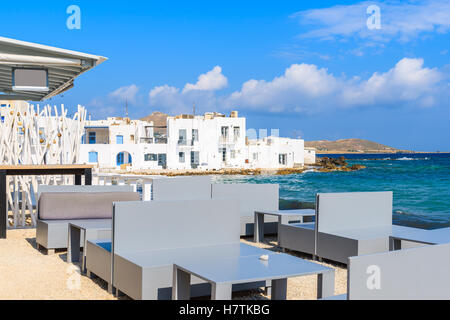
(81, 205)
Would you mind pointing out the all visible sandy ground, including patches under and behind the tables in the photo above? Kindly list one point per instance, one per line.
(28, 274)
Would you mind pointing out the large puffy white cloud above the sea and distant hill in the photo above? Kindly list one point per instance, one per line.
(305, 88)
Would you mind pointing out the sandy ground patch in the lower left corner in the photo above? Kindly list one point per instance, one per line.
(28, 274)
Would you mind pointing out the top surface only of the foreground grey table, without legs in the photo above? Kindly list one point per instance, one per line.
(251, 268)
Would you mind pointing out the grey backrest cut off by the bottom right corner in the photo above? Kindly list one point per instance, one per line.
(410, 274)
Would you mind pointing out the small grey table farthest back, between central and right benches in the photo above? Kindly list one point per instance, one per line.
(284, 216)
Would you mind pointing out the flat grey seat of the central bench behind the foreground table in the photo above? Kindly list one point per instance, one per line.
(167, 257)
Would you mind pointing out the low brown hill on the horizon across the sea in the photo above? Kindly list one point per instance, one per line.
(350, 146)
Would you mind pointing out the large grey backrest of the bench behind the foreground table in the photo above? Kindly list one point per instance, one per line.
(156, 225)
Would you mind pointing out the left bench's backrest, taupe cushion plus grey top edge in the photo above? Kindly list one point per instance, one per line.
(81, 202)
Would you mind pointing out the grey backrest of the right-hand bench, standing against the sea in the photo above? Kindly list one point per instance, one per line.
(353, 210)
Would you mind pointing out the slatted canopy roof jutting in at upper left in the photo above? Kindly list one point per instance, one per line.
(62, 66)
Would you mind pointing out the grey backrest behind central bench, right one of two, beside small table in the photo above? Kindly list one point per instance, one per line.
(252, 197)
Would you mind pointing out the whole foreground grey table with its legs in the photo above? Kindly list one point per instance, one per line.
(223, 273)
